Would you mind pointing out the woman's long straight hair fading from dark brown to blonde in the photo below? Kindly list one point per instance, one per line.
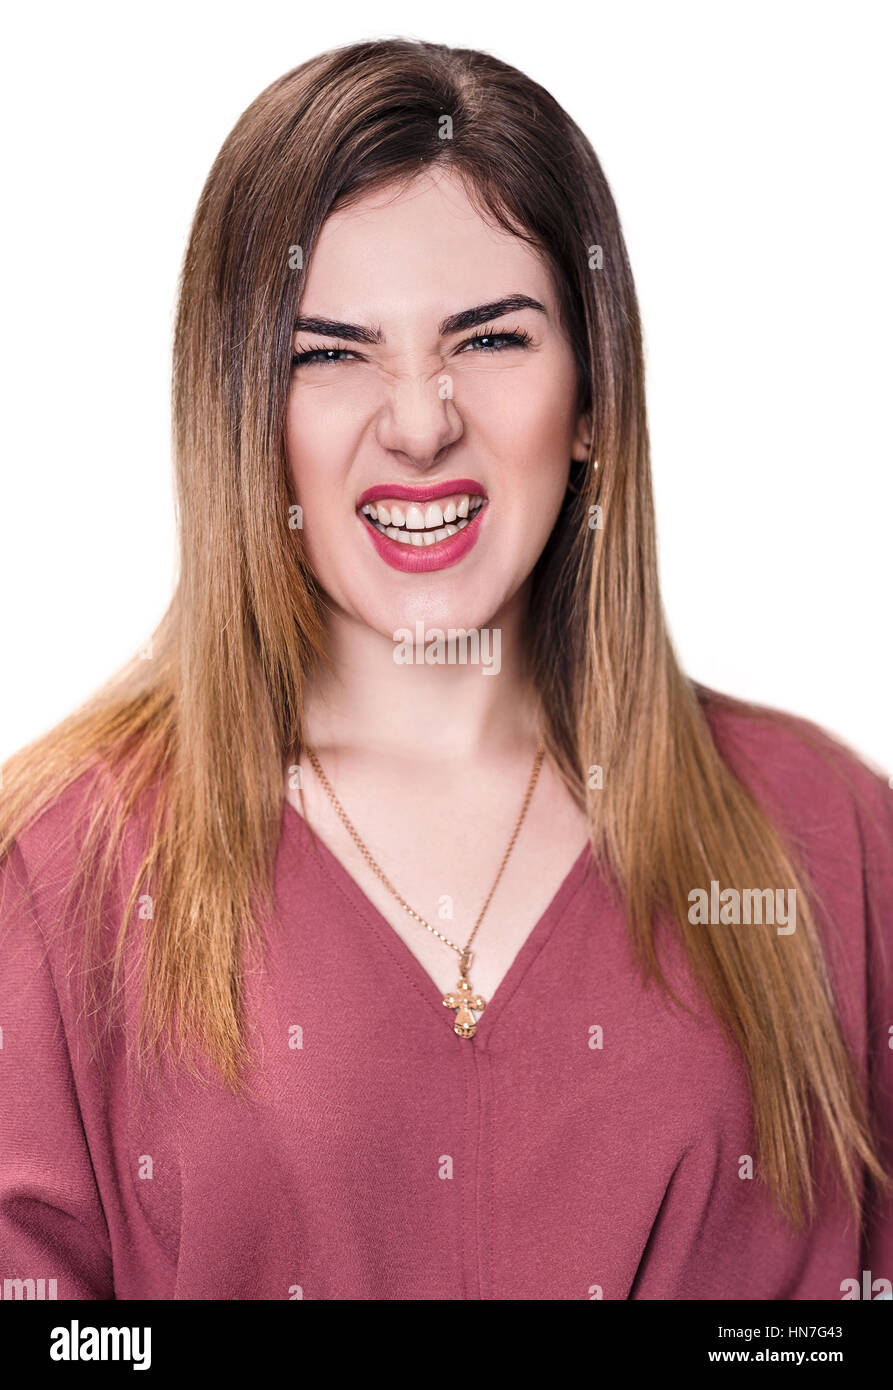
(208, 723)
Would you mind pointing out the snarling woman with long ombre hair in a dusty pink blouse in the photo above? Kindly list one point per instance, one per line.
(418, 929)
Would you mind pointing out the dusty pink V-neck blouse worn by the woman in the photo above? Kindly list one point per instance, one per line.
(590, 1142)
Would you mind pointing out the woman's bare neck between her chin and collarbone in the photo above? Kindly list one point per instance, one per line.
(431, 711)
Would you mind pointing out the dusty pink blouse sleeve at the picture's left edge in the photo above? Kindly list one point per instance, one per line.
(52, 1223)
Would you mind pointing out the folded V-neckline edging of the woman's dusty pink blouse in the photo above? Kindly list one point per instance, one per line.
(407, 960)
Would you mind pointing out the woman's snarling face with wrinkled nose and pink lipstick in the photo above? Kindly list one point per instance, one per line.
(461, 450)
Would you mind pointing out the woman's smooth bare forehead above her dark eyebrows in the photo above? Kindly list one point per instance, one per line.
(417, 252)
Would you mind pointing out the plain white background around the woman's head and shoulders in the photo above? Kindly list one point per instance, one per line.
(748, 148)
